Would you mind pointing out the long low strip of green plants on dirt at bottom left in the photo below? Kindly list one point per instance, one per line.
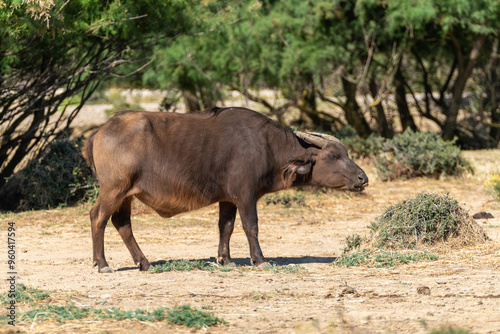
(182, 315)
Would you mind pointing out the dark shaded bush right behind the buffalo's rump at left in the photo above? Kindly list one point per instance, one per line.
(59, 175)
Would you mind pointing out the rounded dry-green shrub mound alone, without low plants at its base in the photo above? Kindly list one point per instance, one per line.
(424, 219)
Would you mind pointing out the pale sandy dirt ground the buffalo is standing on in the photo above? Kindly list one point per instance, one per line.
(54, 253)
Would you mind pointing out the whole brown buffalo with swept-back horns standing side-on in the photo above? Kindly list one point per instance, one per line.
(180, 162)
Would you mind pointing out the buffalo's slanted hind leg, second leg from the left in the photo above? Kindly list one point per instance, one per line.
(122, 223)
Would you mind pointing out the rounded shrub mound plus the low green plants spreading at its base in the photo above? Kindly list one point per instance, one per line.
(405, 230)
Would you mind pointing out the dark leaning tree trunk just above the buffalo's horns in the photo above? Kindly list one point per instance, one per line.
(352, 111)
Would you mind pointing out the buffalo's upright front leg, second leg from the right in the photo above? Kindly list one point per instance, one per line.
(227, 215)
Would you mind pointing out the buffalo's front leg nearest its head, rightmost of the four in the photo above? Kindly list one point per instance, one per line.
(249, 220)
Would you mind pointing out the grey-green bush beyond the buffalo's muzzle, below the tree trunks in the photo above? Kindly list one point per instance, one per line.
(413, 154)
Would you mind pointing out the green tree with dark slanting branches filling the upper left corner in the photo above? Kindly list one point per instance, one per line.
(53, 51)
